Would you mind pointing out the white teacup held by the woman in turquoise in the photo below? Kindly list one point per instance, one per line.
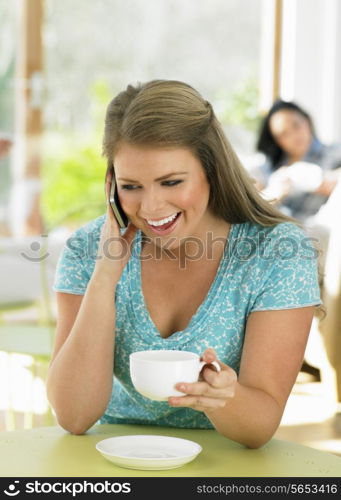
(155, 373)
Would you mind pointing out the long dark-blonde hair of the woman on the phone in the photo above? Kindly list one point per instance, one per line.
(170, 113)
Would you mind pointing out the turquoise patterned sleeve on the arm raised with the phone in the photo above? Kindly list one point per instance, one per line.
(73, 270)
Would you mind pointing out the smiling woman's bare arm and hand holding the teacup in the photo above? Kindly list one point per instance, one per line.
(249, 410)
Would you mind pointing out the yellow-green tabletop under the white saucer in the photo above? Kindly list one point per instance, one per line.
(52, 452)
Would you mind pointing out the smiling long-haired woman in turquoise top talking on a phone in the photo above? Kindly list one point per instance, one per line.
(205, 265)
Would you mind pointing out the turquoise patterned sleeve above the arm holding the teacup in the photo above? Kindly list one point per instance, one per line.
(289, 270)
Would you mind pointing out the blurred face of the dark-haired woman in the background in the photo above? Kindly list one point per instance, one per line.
(292, 133)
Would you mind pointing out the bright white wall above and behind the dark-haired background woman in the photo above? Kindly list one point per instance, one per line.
(311, 63)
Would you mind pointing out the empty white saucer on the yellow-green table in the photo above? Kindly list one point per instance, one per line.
(148, 452)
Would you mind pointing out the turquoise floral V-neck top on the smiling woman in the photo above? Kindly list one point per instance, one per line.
(263, 268)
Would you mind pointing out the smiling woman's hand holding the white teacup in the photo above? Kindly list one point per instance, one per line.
(213, 389)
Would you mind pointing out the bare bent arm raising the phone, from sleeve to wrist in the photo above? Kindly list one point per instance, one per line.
(80, 375)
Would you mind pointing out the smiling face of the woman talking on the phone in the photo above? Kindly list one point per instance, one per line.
(164, 192)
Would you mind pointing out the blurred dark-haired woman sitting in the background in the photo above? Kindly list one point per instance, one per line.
(287, 138)
